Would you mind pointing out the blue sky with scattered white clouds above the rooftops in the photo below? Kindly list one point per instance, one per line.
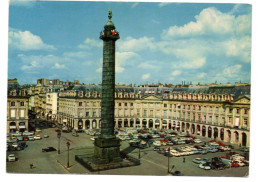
(159, 42)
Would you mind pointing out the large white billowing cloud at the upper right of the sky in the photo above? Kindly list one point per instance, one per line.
(211, 22)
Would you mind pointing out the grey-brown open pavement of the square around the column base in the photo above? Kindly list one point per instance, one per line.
(152, 163)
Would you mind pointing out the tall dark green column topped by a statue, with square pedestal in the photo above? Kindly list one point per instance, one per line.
(107, 146)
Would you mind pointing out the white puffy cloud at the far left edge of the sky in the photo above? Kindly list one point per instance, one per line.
(26, 41)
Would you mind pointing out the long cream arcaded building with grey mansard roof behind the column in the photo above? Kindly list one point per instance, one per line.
(217, 112)
